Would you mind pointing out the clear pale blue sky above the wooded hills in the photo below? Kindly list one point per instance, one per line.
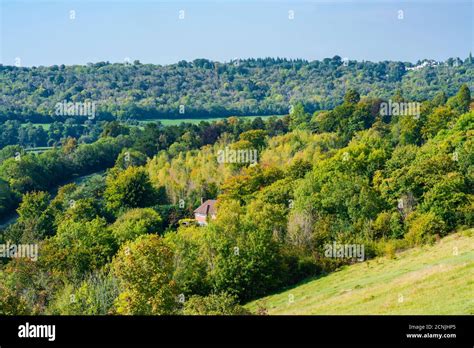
(43, 32)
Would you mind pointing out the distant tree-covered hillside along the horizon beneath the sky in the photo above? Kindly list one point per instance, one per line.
(203, 88)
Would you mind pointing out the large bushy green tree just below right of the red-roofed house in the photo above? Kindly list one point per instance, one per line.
(245, 260)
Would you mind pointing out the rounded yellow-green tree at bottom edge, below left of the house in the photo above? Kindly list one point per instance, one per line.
(144, 270)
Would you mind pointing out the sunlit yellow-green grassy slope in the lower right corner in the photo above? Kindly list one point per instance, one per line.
(431, 280)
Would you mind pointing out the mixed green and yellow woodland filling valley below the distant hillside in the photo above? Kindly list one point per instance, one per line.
(124, 242)
